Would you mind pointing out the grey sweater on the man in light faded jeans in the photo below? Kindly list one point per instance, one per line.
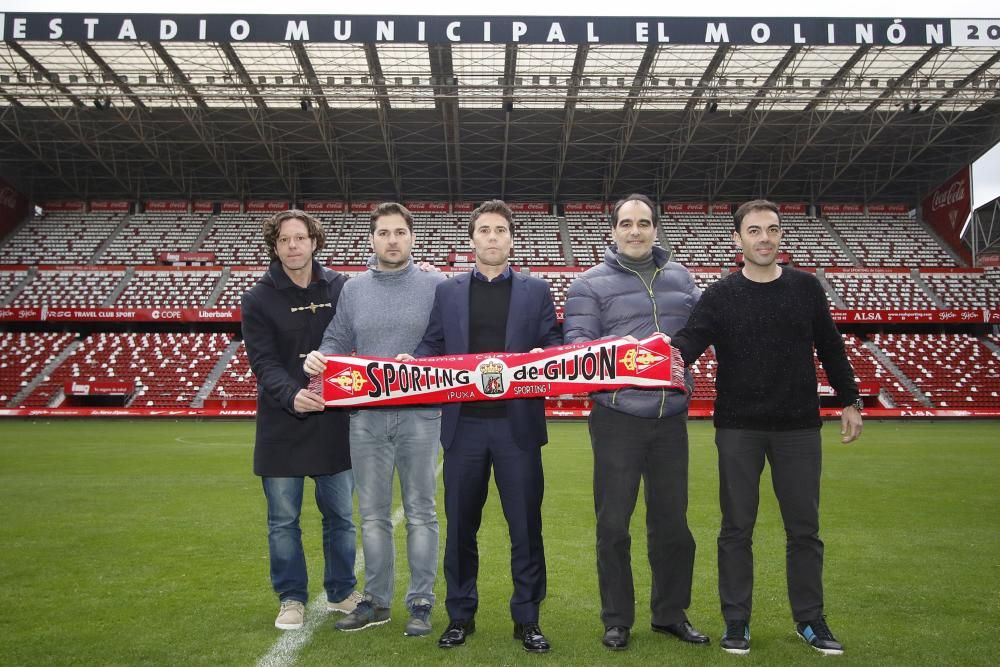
(382, 313)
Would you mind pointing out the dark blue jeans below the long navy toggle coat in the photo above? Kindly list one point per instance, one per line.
(284, 537)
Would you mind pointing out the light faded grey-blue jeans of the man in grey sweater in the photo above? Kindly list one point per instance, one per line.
(406, 440)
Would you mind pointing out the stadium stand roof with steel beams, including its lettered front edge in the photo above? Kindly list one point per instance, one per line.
(100, 112)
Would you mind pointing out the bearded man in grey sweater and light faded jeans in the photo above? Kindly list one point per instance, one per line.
(381, 312)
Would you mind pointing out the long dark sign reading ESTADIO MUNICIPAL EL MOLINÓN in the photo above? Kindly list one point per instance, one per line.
(16, 26)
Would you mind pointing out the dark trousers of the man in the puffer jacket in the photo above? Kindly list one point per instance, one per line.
(627, 449)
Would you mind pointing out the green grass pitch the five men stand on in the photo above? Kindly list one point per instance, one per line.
(126, 543)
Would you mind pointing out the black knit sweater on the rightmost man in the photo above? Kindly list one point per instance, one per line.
(764, 334)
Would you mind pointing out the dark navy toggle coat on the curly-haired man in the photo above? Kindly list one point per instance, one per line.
(283, 322)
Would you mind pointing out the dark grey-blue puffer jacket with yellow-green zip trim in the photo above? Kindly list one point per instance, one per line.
(609, 301)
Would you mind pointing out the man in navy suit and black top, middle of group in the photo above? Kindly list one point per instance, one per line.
(492, 309)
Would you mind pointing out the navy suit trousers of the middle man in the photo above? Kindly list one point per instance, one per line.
(479, 445)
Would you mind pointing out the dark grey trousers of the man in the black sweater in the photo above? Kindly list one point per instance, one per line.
(796, 459)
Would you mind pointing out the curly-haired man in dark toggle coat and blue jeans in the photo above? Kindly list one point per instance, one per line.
(284, 316)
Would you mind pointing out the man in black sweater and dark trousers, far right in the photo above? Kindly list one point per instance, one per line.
(764, 322)
